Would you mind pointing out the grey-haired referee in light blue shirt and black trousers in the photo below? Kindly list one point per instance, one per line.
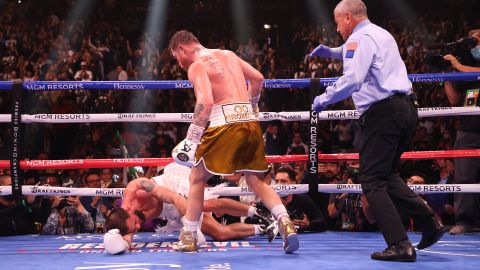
(376, 78)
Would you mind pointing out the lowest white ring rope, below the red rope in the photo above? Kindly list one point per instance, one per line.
(239, 191)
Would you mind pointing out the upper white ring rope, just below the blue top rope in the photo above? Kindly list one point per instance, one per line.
(187, 117)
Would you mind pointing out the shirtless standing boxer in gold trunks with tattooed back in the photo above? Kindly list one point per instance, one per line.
(233, 142)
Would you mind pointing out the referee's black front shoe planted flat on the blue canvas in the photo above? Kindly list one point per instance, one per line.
(402, 251)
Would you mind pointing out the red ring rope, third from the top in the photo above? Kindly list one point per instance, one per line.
(132, 162)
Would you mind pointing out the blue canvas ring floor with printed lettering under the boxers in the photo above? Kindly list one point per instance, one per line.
(328, 250)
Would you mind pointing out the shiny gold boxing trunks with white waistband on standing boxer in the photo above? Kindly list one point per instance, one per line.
(233, 142)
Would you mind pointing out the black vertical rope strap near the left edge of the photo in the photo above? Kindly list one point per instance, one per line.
(17, 140)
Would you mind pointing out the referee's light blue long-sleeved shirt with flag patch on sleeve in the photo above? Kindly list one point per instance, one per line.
(372, 69)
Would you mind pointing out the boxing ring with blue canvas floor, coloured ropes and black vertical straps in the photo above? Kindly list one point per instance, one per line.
(328, 250)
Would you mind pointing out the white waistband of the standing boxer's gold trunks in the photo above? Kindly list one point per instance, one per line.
(231, 113)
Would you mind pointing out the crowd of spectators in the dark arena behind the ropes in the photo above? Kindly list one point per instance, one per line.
(38, 44)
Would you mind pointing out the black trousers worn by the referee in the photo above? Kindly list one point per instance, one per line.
(386, 131)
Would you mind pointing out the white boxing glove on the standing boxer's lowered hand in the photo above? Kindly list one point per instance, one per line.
(184, 152)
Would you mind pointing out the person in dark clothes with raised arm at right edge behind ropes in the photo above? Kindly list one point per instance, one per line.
(467, 170)
